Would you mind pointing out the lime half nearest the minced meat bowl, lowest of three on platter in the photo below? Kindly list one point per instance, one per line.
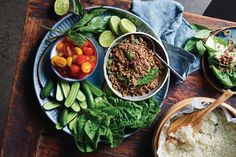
(106, 38)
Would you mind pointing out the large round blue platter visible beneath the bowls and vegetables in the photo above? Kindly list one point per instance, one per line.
(42, 70)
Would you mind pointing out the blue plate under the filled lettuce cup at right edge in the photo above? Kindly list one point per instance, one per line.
(204, 60)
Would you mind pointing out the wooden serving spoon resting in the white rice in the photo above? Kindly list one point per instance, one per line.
(196, 119)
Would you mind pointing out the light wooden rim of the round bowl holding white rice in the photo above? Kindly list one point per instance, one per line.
(175, 108)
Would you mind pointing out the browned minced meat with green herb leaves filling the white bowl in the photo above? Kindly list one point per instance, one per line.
(132, 66)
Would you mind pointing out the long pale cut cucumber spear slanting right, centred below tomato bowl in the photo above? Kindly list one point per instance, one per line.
(72, 95)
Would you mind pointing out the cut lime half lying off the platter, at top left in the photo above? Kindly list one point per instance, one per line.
(61, 7)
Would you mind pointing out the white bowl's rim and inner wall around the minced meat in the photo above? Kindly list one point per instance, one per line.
(157, 47)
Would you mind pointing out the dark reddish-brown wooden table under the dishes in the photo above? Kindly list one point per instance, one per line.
(29, 133)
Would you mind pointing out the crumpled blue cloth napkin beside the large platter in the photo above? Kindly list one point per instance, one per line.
(166, 18)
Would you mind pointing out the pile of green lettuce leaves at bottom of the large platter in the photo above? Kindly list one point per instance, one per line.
(108, 120)
